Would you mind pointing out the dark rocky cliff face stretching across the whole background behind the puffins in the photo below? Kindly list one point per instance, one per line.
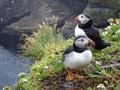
(23, 16)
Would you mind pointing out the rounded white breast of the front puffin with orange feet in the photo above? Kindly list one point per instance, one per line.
(76, 60)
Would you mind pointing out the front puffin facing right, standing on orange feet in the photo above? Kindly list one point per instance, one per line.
(77, 56)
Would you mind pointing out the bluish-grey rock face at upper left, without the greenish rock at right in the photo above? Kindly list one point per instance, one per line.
(14, 21)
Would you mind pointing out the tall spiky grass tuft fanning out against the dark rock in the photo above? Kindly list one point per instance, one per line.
(43, 43)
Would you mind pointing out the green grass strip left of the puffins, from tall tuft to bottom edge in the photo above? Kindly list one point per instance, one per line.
(46, 50)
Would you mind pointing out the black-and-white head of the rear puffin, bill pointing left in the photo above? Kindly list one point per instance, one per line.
(84, 20)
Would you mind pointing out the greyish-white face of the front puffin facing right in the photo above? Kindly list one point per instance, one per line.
(82, 42)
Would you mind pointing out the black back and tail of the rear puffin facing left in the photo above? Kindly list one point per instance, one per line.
(93, 33)
